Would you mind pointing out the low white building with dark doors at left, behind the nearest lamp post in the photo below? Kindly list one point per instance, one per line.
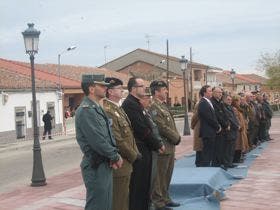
(16, 113)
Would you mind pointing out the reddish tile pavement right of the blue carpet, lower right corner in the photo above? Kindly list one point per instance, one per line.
(261, 188)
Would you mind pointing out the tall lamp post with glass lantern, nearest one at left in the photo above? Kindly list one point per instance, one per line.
(31, 41)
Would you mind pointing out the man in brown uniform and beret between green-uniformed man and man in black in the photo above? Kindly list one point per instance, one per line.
(126, 145)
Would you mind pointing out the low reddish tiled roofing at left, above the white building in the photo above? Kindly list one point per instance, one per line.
(47, 74)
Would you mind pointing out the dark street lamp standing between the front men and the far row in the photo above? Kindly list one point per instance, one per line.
(183, 61)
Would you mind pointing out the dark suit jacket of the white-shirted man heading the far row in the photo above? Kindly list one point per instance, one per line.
(209, 125)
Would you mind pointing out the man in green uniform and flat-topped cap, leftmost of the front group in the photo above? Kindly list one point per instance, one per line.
(96, 141)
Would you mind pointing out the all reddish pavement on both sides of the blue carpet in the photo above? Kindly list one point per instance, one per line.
(259, 190)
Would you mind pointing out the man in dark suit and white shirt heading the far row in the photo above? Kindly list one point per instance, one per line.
(209, 125)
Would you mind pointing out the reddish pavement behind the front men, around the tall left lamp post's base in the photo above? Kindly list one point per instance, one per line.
(64, 192)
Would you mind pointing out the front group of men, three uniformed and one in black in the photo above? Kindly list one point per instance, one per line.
(128, 149)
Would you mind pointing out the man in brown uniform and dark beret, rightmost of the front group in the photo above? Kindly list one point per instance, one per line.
(171, 137)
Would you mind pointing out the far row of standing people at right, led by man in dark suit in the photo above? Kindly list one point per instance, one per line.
(227, 126)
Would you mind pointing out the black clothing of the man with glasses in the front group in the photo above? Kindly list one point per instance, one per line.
(146, 141)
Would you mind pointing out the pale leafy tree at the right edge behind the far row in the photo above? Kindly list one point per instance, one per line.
(270, 63)
